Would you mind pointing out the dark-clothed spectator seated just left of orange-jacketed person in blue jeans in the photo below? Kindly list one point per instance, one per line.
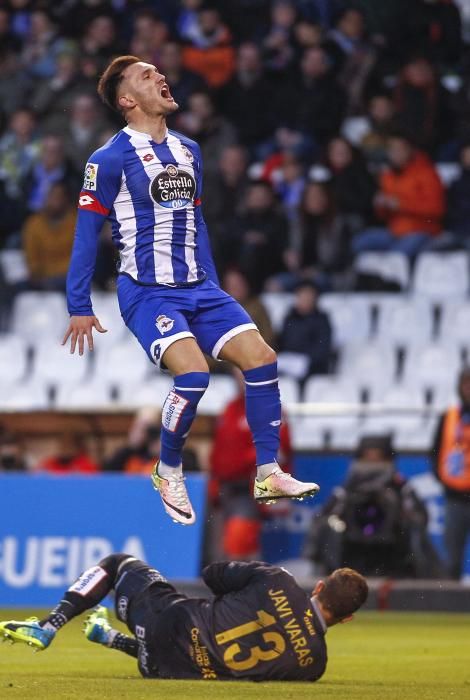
(321, 249)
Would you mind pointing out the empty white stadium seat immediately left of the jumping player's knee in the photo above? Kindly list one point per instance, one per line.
(124, 362)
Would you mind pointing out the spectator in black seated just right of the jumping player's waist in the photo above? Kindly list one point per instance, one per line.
(259, 237)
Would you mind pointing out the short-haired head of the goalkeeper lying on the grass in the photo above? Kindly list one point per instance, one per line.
(344, 592)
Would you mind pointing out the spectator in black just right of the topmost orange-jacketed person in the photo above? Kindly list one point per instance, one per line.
(251, 86)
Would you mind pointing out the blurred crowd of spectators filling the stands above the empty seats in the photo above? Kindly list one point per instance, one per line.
(320, 123)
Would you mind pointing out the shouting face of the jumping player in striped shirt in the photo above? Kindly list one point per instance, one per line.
(144, 86)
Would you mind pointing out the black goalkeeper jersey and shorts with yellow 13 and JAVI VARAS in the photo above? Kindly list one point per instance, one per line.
(260, 626)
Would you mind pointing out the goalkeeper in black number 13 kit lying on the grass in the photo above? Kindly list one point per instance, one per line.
(261, 625)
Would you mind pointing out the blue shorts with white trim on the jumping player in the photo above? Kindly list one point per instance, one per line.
(158, 316)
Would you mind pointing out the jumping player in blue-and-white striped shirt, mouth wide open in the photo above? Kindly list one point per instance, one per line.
(147, 180)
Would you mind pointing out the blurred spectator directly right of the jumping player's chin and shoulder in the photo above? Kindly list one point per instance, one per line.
(202, 122)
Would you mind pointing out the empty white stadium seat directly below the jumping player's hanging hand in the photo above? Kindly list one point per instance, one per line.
(54, 365)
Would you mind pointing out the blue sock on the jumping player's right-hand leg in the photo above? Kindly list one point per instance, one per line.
(263, 411)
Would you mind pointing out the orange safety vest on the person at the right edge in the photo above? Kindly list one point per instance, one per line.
(454, 453)
